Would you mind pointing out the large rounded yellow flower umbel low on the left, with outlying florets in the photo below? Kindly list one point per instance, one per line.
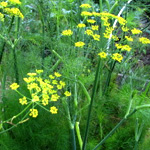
(43, 91)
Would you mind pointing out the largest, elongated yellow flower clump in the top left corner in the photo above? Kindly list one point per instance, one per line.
(14, 12)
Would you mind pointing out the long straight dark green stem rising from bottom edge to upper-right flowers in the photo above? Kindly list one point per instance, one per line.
(91, 104)
